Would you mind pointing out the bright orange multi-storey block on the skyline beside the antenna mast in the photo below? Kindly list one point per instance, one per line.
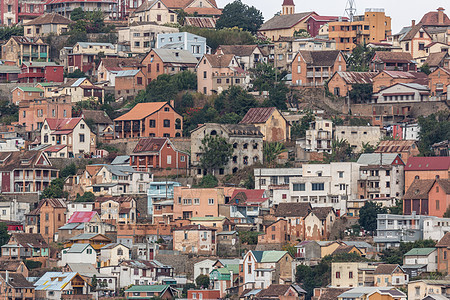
(372, 27)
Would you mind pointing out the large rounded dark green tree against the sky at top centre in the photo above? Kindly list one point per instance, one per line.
(238, 14)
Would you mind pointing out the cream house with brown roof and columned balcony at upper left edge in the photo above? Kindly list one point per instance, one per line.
(20, 49)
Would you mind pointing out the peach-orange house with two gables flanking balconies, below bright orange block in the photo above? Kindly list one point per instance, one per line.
(313, 68)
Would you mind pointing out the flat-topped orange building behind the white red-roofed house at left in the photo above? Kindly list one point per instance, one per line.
(33, 112)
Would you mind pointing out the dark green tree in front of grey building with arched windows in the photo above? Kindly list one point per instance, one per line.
(216, 152)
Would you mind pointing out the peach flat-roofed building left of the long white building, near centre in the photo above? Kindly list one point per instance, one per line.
(198, 202)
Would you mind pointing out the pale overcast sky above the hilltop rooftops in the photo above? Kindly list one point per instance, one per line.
(401, 11)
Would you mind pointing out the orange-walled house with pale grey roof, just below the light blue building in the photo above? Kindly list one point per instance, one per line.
(167, 61)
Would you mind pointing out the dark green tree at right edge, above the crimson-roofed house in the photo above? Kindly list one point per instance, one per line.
(433, 129)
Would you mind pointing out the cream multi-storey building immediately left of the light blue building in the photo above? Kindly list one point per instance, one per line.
(141, 36)
